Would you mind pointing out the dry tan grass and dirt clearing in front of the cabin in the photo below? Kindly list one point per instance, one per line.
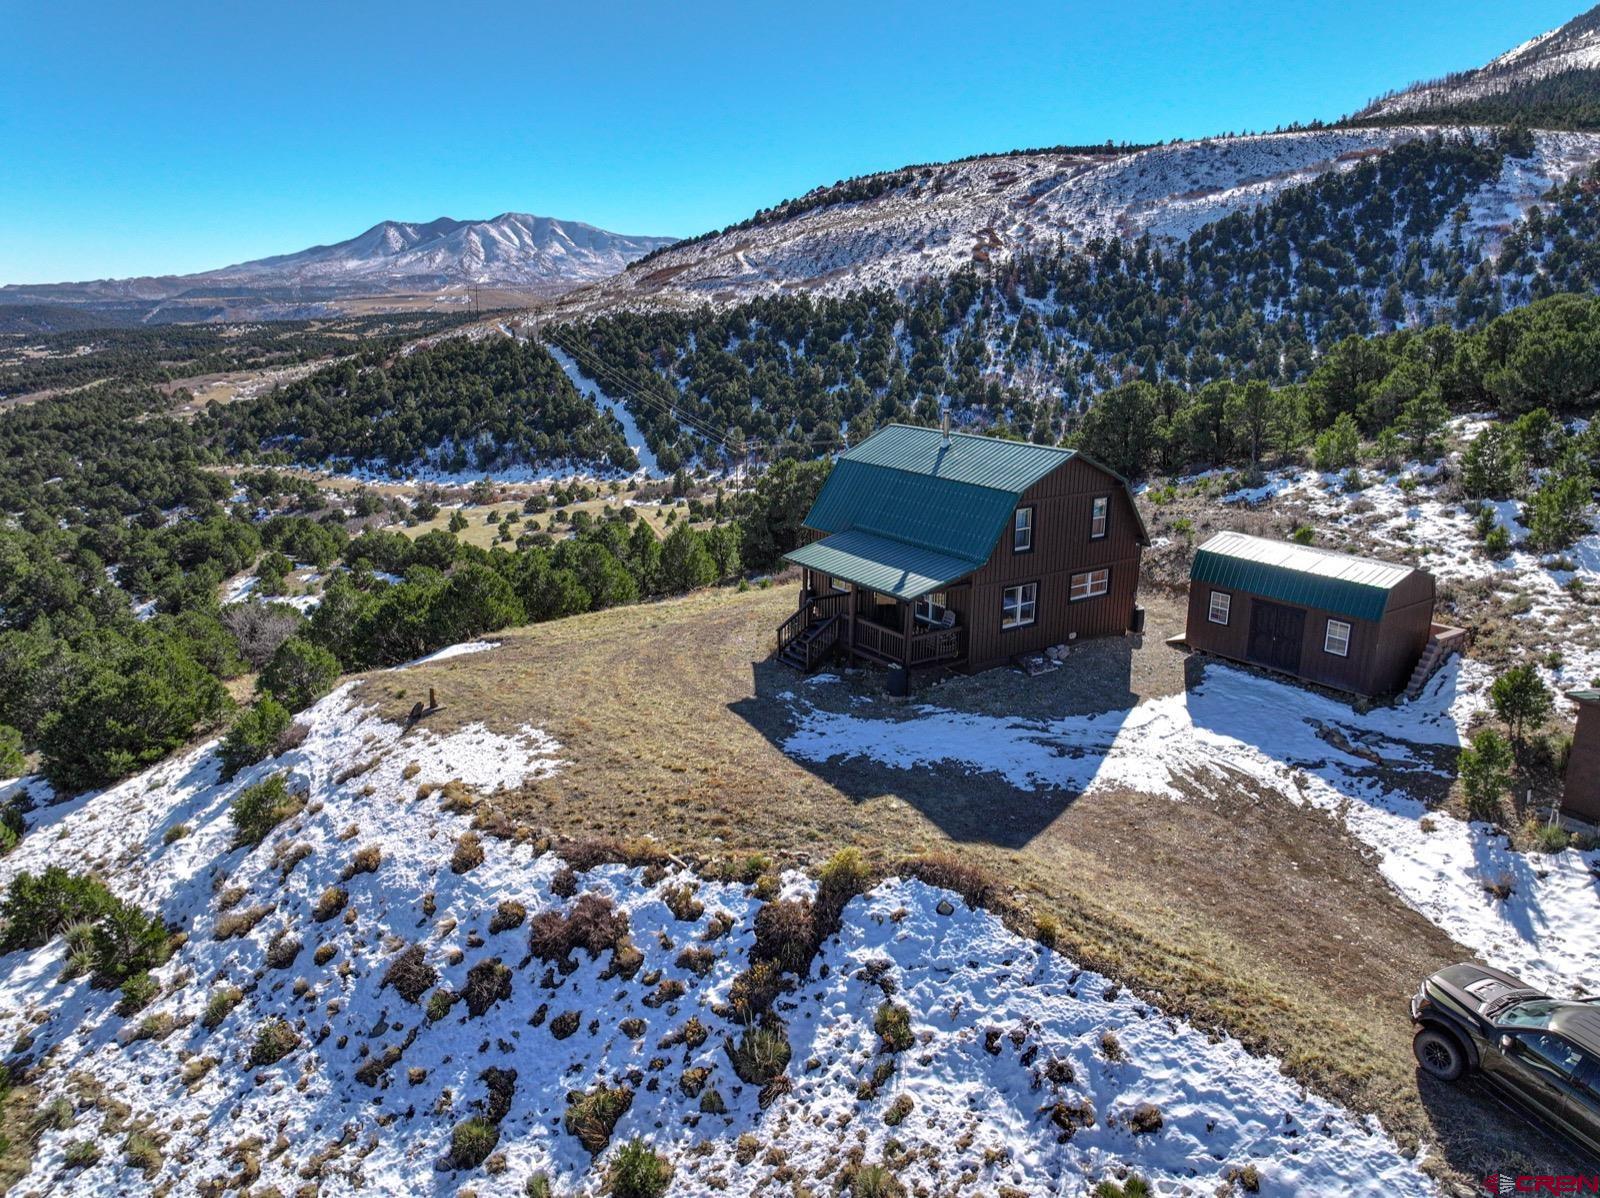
(1236, 908)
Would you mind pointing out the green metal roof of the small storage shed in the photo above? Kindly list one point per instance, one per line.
(1300, 575)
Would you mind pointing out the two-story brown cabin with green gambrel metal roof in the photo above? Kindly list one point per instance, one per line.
(927, 548)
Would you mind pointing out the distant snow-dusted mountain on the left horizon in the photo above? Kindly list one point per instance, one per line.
(518, 252)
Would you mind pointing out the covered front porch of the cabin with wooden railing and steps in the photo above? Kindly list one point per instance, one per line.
(876, 599)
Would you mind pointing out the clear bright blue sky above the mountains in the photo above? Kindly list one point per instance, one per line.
(151, 138)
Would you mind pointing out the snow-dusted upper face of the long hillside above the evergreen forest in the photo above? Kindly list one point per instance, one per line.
(991, 209)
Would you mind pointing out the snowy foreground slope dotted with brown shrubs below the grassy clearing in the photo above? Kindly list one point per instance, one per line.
(1023, 1076)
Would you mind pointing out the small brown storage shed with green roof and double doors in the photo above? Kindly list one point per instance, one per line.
(1337, 620)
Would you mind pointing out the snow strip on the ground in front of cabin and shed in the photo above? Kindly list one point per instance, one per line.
(1303, 746)
